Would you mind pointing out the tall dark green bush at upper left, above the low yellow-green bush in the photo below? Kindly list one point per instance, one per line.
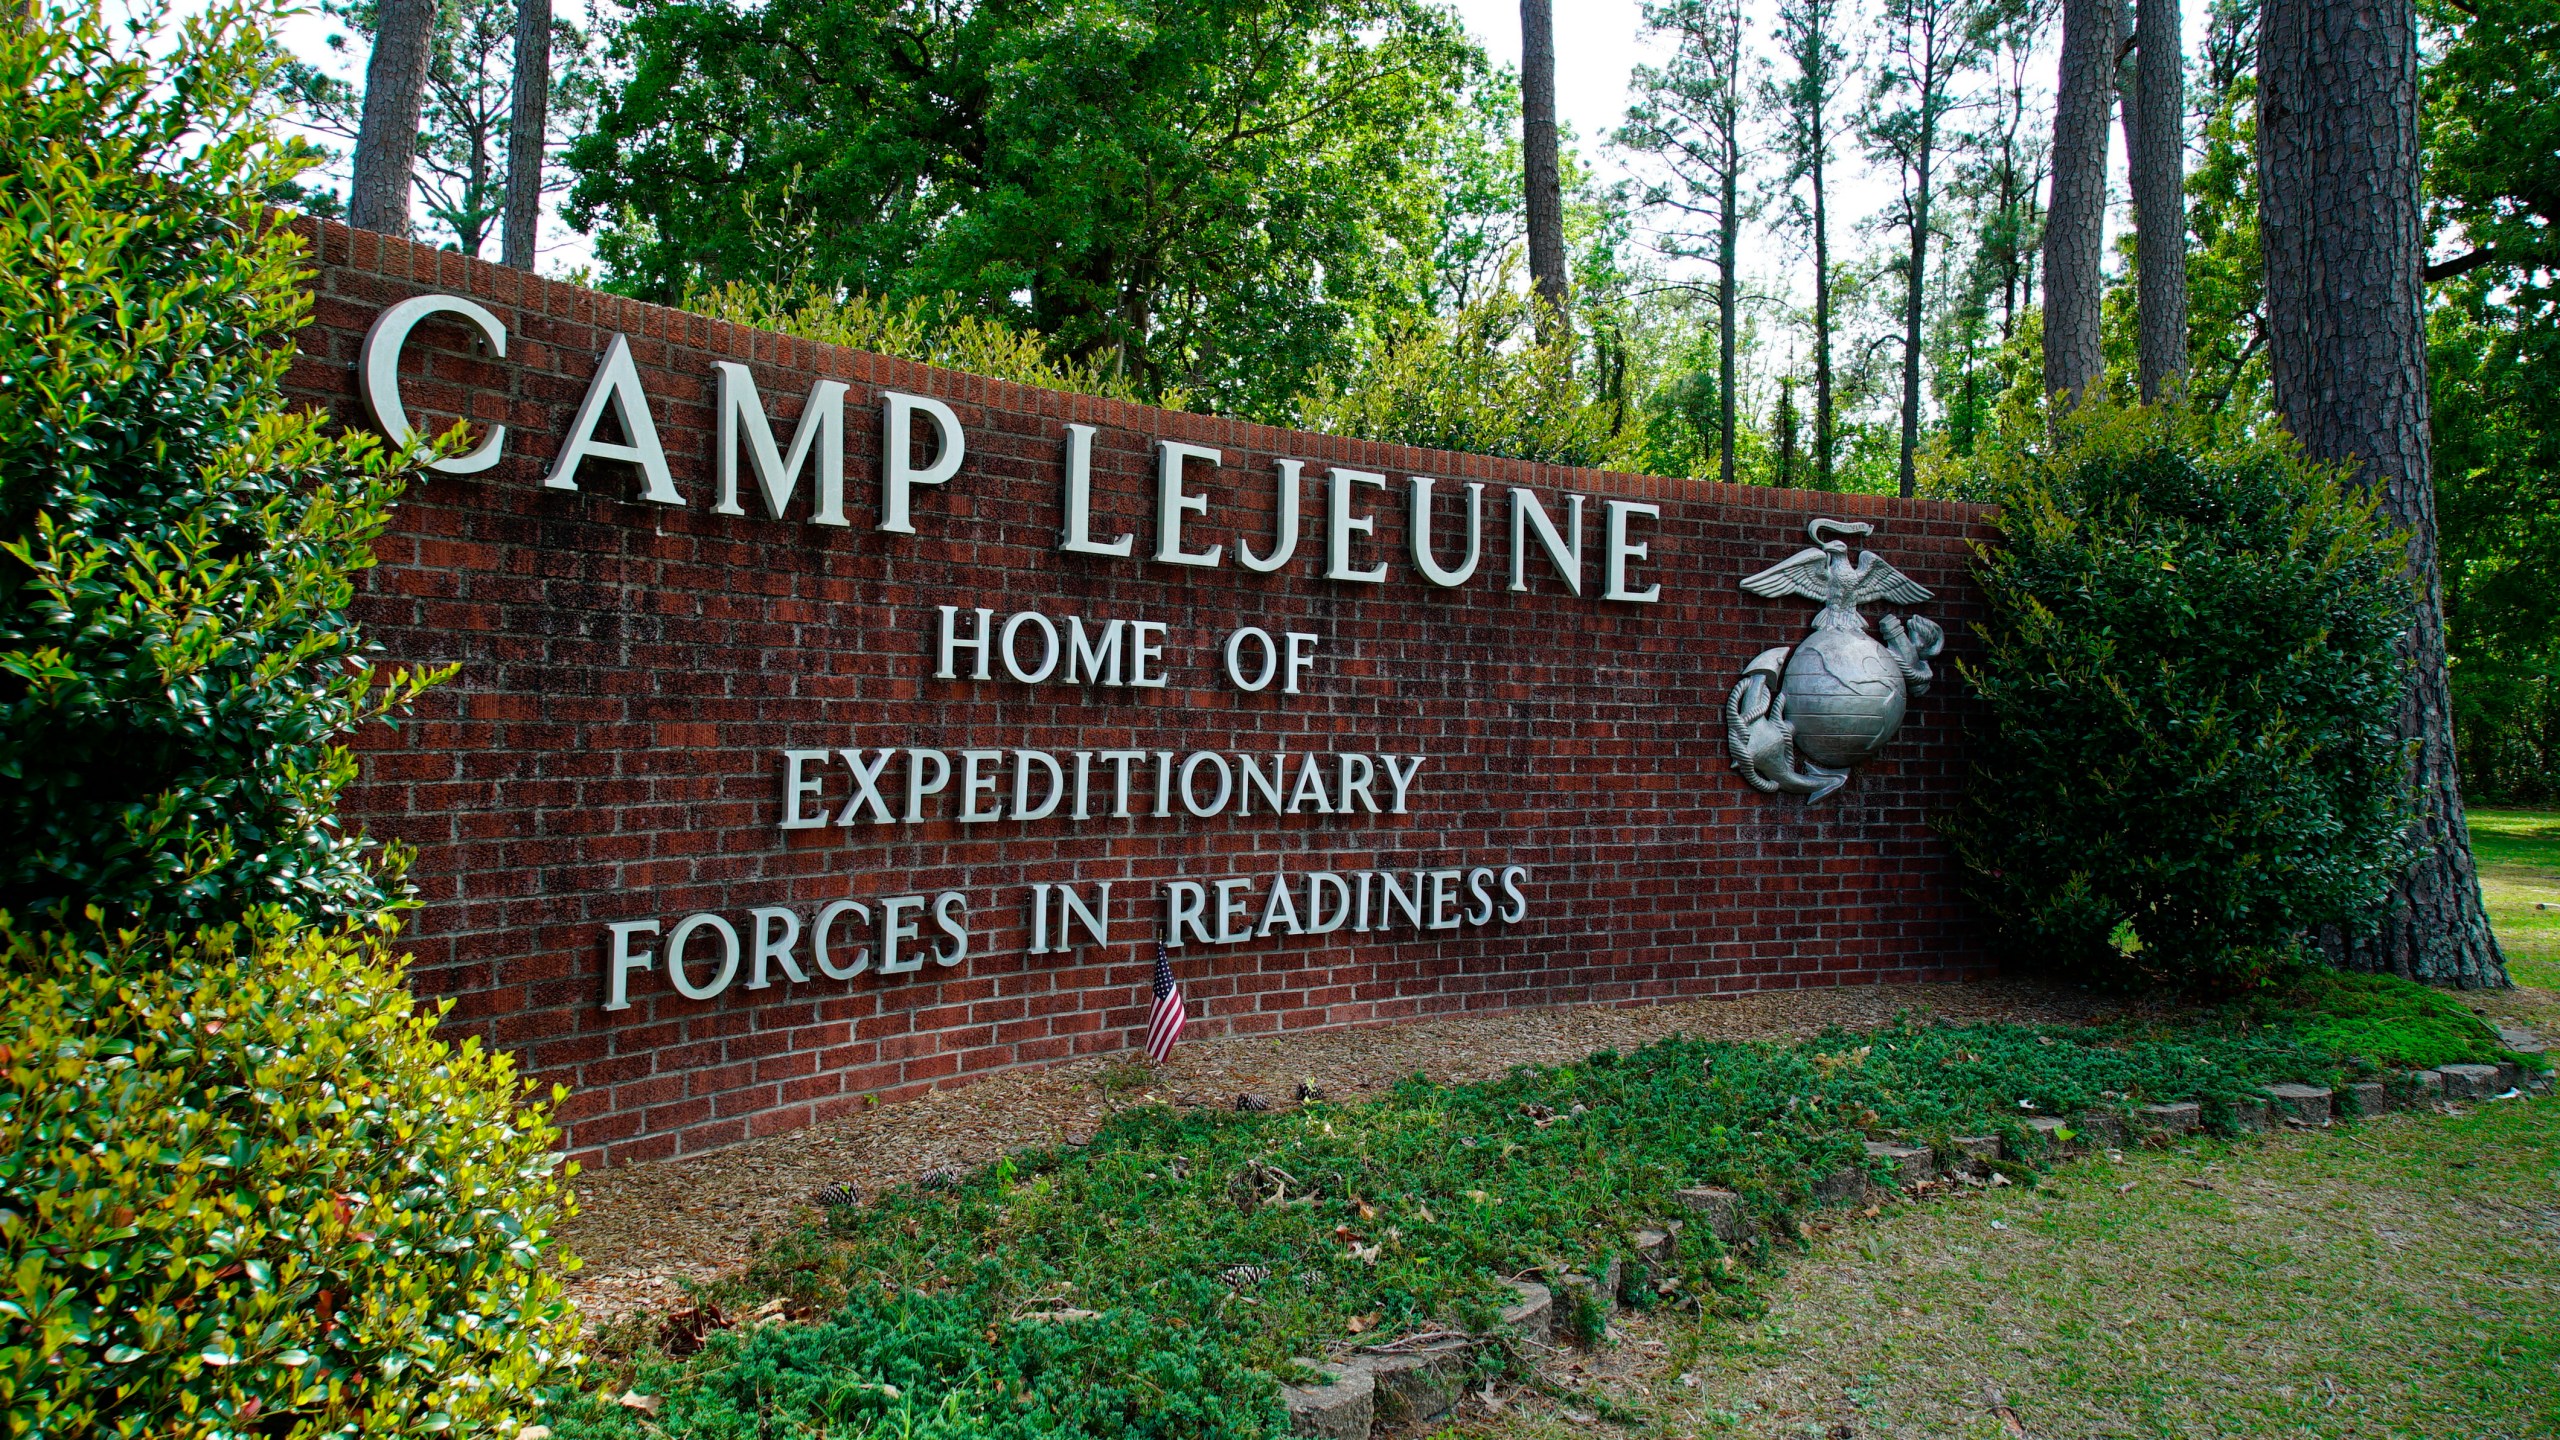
(175, 547)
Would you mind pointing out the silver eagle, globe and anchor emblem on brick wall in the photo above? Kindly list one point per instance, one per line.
(1806, 714)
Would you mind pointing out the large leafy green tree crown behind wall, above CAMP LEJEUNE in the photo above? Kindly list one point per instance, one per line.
(1194, 193)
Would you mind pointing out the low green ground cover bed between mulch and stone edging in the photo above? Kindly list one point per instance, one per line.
(1156, 1280)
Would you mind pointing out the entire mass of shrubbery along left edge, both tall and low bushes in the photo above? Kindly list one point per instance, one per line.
(242, 1185)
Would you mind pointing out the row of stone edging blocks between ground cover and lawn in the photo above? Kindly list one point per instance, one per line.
(1422, 1377)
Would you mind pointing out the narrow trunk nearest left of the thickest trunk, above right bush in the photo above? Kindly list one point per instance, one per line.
(2159, 196)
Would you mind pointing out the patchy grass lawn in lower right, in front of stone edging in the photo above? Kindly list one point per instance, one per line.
(2385, 1280)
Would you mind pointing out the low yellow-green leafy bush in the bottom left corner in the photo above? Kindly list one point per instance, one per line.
(247, 1193)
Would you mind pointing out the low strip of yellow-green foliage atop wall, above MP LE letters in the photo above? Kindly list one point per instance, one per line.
(928, 332)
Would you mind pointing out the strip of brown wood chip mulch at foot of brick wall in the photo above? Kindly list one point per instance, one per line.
(646, 1231)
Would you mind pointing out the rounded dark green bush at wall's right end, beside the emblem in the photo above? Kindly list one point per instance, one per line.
(2190, 685)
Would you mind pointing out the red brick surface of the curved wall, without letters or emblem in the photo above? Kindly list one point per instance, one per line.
(631, 673)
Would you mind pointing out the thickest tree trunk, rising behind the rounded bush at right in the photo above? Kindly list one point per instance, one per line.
(2344, 234)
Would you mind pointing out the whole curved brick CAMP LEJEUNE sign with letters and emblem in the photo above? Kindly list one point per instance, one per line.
(838, 726)
